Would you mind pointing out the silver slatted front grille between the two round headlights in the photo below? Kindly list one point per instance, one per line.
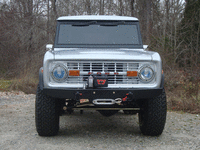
(116, 72)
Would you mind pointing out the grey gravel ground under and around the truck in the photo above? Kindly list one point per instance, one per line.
(90, 130)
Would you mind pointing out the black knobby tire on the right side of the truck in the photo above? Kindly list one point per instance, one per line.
(152, 116)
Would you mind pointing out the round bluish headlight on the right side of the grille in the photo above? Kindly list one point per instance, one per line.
(146, 74)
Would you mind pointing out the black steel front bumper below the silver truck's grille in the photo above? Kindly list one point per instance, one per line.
(102, 93)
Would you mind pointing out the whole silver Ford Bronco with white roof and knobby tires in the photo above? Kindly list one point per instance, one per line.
(99, 63)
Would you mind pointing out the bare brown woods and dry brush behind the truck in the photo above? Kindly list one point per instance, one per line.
(170, 27)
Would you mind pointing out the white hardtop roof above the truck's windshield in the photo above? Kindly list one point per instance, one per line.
(98, 17)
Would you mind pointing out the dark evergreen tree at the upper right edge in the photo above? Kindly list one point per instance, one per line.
(189, 33)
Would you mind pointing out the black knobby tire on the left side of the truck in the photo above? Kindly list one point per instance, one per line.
(46, 114)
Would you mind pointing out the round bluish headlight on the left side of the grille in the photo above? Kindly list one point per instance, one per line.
(59, 73)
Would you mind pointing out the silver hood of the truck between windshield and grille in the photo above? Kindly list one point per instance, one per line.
(103, 54)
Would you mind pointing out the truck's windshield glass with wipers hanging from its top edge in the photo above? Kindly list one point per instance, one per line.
(96, 34)
